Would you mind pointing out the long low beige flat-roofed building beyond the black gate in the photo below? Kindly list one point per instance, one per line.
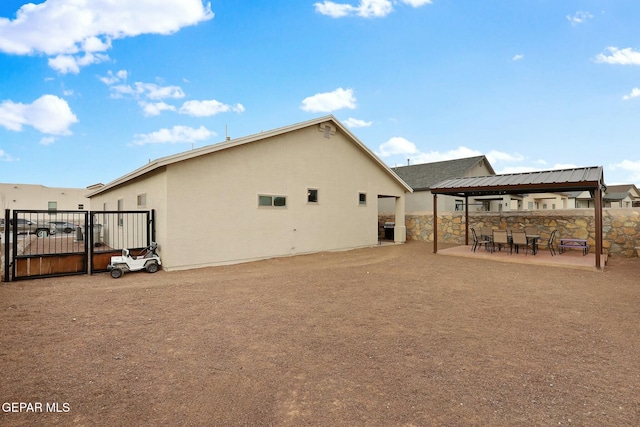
(37, 197)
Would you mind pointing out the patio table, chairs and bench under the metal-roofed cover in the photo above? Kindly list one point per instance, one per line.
(529, 237)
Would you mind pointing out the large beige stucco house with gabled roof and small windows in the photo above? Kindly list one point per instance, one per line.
(303, 188)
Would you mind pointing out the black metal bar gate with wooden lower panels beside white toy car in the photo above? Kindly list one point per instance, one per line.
(40, 244)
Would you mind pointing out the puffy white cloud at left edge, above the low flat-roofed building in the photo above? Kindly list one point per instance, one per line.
(48, 114)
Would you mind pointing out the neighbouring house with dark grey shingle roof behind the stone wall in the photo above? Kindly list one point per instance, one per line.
(422, 176)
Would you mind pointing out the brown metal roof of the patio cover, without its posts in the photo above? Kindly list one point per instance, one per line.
(577, 179)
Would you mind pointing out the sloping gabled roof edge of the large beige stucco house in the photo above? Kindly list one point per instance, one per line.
(186, 155)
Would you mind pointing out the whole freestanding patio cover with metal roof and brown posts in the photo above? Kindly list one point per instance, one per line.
(577, 179)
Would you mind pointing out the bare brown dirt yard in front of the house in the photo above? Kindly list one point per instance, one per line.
(385, 336)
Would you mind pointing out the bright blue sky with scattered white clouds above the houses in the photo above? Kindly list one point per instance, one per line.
(92, 89)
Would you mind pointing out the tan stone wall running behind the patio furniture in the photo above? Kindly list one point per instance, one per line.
(621, 227)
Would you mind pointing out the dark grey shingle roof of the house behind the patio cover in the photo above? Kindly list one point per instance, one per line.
(423, 176)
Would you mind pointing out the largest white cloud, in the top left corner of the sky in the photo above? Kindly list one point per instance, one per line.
(74, 31)
